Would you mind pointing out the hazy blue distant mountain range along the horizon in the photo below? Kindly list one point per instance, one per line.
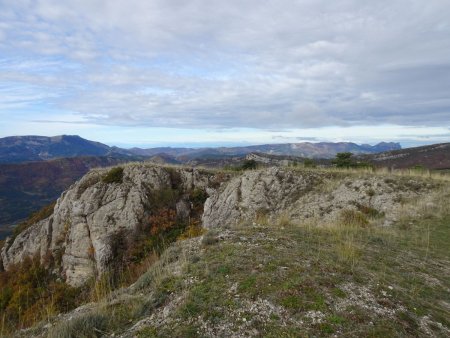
(17, 149)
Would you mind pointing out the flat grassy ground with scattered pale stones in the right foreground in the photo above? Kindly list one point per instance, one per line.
(302, 282)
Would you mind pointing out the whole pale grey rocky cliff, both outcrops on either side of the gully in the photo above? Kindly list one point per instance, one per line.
(78, 234)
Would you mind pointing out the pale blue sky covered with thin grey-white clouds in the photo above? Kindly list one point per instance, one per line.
(234, 72)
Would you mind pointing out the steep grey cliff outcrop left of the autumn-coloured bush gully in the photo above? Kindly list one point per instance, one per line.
(91, 211)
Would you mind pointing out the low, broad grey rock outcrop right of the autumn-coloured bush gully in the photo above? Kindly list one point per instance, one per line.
(306, 196)
